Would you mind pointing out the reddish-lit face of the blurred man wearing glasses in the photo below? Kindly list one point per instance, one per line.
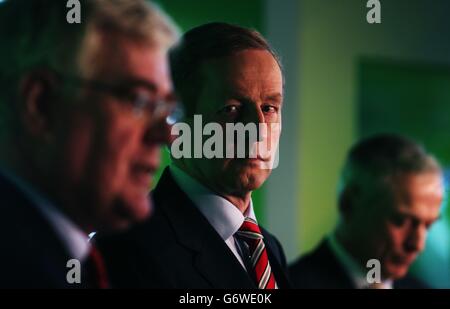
(110, 150)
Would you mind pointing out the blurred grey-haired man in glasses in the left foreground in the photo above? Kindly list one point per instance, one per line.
(83, 110)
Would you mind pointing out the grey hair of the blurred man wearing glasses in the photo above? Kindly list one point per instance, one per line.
(36, 35)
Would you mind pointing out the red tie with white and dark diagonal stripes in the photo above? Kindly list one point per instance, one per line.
(251, 234)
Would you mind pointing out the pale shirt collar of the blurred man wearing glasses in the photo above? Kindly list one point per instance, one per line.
(75, 240)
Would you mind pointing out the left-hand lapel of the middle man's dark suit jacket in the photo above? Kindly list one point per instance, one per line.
(213, 259)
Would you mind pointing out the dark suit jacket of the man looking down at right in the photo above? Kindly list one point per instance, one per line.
(320, 269)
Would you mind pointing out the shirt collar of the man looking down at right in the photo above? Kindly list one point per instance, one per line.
(357, 274)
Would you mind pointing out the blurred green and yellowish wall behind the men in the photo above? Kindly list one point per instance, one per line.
(345, 79)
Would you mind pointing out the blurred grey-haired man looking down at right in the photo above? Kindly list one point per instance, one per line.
(391, 193)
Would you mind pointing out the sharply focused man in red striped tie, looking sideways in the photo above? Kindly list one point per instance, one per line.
(204, 233)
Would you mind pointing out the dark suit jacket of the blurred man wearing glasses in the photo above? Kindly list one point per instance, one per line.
(31, 255)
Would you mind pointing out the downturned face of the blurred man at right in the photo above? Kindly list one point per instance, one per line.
(398, 230)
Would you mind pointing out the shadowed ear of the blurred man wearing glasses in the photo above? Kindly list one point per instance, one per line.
(38, 98)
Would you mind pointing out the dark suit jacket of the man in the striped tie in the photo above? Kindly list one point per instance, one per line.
(178, 248)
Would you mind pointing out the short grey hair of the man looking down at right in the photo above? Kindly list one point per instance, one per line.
(374, 164)
